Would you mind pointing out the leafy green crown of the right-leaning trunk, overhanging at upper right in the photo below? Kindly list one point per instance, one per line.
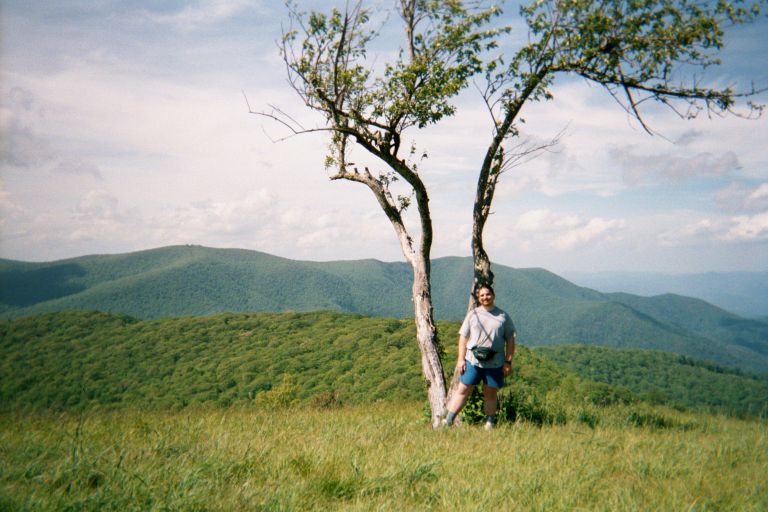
(639, 50)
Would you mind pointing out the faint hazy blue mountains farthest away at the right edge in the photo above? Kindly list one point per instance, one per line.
(743, 293)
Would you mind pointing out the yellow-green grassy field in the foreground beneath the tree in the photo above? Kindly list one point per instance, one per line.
(378, 457)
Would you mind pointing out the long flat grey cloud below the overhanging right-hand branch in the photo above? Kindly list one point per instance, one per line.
(637, 167)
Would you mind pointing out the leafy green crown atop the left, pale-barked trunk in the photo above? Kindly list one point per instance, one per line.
(327, 59)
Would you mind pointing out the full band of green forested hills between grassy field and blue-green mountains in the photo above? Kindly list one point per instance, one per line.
(76, 359)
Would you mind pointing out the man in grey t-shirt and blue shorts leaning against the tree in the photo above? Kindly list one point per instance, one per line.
(484, 327)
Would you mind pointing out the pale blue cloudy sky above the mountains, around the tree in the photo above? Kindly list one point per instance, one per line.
(124, 128)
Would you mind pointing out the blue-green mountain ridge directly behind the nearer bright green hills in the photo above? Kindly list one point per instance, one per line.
(191, 281)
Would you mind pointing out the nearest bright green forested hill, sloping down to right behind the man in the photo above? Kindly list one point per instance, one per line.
(75, 359)
